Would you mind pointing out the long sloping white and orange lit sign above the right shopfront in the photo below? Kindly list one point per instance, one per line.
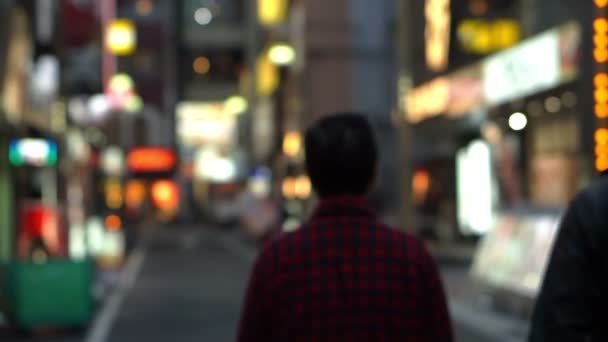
(538, 64)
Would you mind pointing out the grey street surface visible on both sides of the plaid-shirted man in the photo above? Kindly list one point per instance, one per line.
(191, 285)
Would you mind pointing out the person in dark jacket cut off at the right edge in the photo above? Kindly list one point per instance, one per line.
(574, 295)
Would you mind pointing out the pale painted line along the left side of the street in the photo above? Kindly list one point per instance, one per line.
(102, 325)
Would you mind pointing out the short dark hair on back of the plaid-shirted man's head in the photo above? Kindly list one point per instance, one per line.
(341, 155)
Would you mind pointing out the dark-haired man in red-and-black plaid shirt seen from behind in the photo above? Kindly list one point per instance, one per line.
(344, 276)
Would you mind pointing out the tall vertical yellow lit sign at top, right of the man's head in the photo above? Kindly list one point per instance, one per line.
(437, 33)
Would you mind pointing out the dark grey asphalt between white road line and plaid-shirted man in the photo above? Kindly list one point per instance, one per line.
(189, 288)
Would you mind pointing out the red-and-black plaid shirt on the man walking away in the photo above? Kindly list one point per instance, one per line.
(345, 277)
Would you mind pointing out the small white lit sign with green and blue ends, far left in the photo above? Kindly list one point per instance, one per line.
(33, 152)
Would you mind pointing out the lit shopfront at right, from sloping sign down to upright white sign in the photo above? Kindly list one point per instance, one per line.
(490, 136)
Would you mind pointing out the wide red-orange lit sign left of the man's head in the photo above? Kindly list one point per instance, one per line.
(152, 160)
